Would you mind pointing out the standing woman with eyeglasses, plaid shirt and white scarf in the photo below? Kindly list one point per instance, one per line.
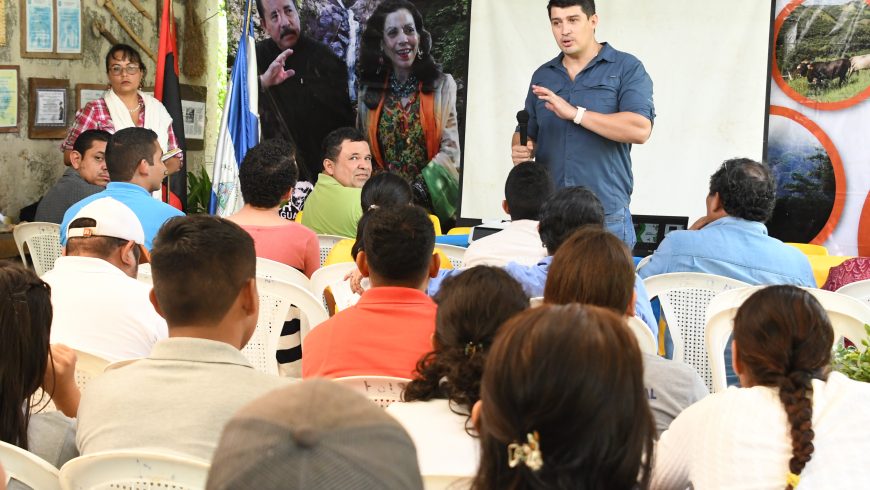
(124, 105)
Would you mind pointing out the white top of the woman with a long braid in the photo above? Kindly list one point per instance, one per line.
(740, 439)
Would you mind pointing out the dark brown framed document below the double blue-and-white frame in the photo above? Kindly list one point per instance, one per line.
(49, 105)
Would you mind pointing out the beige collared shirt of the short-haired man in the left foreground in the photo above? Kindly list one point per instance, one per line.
(177, 399)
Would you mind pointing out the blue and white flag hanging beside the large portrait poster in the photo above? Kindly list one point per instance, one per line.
(240, 126)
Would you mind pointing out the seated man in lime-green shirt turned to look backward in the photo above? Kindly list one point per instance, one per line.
(333, 208)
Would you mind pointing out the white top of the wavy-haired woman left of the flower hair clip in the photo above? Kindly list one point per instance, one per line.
(443, 445)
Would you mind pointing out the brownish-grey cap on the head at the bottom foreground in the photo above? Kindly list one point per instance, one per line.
(313, 435)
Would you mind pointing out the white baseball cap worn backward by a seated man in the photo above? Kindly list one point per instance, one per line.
(113, 219)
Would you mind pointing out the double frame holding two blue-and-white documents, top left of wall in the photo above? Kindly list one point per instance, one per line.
(51, 29)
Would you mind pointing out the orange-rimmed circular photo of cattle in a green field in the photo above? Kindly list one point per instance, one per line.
(822, 52)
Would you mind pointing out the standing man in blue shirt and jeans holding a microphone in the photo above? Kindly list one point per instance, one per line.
(586, 108)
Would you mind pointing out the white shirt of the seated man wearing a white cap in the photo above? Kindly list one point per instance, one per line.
(100, 310)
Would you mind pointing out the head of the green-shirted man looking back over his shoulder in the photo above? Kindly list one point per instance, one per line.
(347, 157)
